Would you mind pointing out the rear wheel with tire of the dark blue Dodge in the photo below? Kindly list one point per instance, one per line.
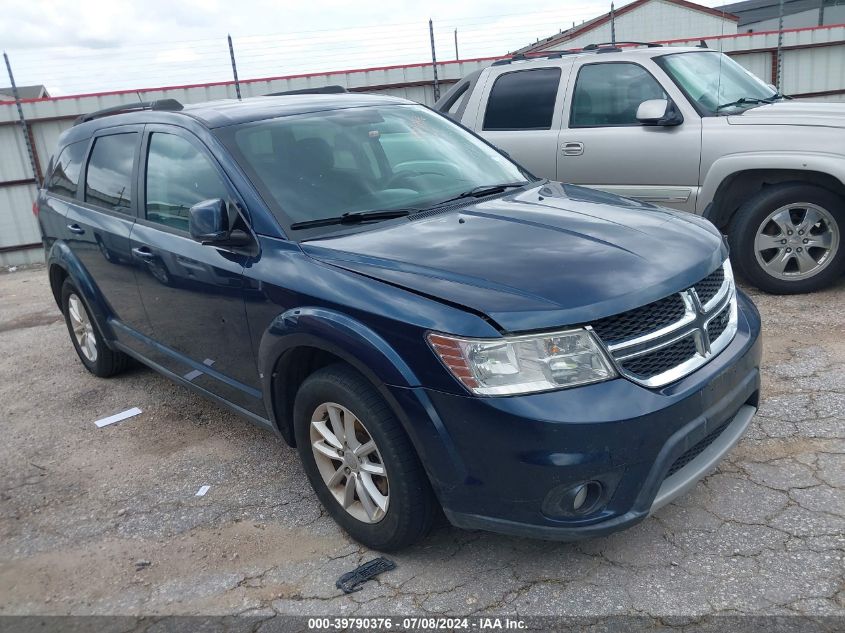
(89, 345)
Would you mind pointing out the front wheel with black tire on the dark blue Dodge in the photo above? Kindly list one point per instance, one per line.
(404, 489)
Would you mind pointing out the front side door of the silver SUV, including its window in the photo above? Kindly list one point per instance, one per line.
(603, 145)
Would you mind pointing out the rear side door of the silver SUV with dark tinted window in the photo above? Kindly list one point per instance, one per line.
(520, 112)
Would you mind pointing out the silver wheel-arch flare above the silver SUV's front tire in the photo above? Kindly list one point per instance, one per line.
(730, 164)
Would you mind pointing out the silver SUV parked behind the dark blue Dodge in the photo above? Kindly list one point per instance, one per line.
(682, 127)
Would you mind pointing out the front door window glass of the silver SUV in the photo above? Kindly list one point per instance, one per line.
(609, 94)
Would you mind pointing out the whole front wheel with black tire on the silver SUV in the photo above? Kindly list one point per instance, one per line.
(787, 266)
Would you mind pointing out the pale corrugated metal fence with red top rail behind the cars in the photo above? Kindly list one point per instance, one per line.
(812, 65)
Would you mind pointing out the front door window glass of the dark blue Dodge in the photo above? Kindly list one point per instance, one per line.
(178, 176)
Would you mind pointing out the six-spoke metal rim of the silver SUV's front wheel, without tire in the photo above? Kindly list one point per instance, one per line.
(796, 241)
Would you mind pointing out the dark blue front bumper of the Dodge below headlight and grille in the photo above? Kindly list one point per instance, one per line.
(499, 464)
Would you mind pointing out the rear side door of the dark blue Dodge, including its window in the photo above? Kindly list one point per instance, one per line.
(99, 219)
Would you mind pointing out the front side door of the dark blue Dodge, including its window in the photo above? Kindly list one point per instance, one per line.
(193, 294)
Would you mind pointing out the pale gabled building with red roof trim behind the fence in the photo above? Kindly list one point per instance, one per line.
(642, 21)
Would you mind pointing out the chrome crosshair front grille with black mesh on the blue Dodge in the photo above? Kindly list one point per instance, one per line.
(667, 339)
